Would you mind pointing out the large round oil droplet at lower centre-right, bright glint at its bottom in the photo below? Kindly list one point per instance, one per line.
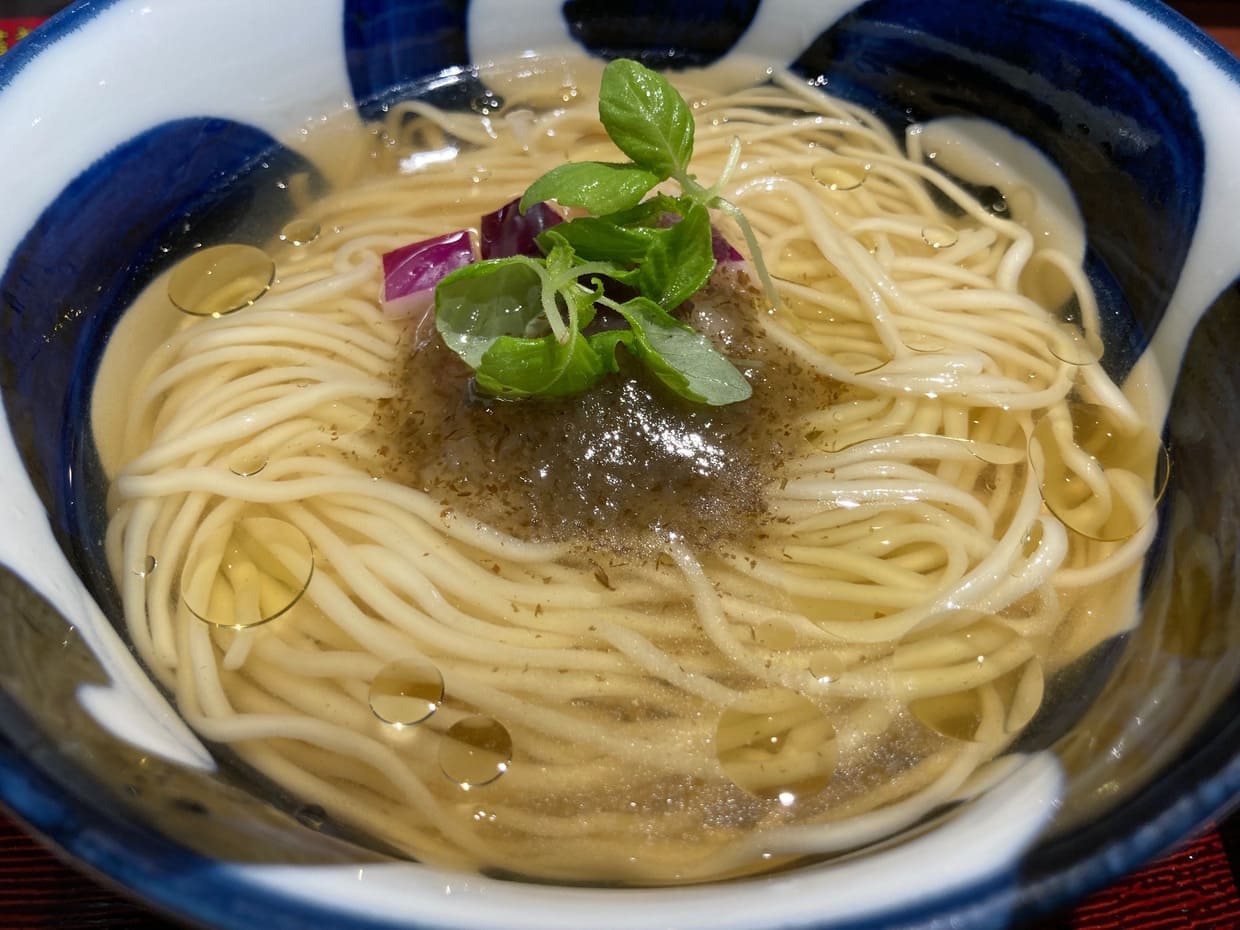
(777, 745)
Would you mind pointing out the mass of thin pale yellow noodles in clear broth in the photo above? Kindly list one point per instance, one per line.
(693, 711)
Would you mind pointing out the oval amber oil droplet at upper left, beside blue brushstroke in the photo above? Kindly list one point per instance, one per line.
(221, 280)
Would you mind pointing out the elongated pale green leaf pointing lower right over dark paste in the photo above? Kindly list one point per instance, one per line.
(681, 358)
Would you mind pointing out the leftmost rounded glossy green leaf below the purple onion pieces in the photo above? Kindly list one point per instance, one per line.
(487, 301)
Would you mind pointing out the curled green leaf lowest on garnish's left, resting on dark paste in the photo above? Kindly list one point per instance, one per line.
(540, 368)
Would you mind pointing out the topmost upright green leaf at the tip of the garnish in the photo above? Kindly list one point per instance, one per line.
(647, 118)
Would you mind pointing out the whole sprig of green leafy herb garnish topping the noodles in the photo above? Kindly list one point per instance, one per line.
(520, 323)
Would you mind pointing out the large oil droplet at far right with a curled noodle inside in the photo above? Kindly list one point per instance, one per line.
(1103, 478)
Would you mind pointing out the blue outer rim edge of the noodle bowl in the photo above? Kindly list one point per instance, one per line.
(1205, 784)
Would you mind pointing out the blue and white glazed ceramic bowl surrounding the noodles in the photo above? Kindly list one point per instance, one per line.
(121, 121)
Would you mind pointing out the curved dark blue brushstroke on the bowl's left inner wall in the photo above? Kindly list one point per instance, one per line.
(92, 251)
